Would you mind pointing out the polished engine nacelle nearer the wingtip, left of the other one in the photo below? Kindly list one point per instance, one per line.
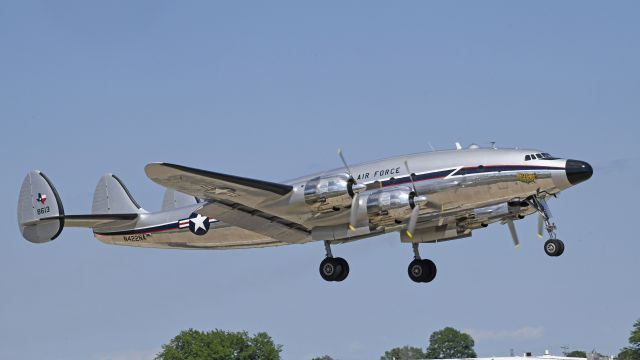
(331, 193)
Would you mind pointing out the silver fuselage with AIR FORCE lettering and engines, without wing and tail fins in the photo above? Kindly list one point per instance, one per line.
(464, 189)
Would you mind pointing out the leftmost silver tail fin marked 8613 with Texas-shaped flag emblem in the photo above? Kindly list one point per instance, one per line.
(40, 211)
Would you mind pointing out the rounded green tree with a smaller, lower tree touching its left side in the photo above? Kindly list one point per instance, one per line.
(450, 343)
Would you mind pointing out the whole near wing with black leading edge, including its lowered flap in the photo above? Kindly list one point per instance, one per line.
(232, 199)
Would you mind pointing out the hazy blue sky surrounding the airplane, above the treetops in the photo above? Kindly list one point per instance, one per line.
(271, 91)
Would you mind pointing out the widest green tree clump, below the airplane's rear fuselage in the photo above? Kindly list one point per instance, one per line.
(218, 345)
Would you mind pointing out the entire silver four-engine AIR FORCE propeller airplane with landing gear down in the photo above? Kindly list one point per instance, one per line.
(427, 197)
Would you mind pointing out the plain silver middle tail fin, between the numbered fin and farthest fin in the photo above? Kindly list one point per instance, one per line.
(112, 197)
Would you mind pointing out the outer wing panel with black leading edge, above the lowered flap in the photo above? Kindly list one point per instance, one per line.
(211, 185)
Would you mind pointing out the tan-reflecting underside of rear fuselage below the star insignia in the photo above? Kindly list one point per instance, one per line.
(227, 237)
